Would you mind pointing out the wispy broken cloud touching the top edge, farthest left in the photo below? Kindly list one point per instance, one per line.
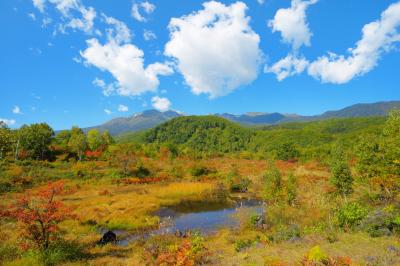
(75, 15)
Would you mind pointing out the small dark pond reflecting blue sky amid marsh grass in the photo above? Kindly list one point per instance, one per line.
(204, 219)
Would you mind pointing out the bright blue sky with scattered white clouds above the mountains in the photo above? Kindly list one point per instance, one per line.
(81, 62)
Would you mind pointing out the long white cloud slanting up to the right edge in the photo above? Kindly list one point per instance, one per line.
(378, 37)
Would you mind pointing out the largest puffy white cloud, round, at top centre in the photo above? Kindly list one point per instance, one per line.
(215, 48)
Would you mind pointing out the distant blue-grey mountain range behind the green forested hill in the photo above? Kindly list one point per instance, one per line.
(151, 118)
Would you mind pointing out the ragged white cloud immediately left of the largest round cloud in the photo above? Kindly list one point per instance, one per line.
(124, 61)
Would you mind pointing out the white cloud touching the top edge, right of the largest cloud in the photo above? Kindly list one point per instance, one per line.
(292, 23)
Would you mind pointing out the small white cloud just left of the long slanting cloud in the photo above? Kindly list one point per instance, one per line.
(288, 66)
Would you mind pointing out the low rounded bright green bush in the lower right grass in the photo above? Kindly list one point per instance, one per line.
(351, 215)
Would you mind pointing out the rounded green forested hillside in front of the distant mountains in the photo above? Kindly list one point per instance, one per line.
(211, 134)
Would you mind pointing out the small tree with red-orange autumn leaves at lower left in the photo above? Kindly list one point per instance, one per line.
(39, 214)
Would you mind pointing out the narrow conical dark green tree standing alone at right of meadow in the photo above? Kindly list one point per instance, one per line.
(341, 176)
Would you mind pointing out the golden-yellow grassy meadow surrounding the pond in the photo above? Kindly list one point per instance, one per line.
(105, 203)
